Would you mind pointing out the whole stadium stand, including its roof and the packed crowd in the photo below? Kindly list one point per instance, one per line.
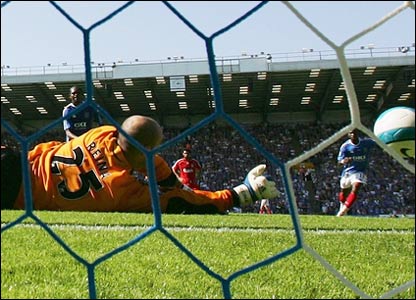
(275, 90)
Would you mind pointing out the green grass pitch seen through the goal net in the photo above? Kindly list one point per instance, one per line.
(375, 254)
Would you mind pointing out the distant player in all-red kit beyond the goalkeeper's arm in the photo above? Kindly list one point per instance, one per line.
(188, 170)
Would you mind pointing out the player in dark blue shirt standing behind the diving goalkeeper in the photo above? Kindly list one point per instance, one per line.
(82, 121)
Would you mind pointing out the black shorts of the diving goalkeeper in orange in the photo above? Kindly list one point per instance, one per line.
(11, 176)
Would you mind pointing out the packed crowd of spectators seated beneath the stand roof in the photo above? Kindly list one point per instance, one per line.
(224, 155)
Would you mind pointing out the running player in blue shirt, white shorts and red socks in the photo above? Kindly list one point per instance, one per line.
(354, 155)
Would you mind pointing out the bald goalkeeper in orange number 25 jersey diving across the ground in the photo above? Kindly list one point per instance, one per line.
(96, 172)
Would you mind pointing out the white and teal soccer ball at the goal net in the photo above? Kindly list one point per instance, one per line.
(396, 128)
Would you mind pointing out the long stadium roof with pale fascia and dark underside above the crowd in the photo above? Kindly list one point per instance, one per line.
(248, 85)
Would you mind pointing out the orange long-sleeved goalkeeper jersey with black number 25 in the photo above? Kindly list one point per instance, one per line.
(90, 173)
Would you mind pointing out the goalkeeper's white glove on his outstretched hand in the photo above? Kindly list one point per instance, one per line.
(256, 187)
